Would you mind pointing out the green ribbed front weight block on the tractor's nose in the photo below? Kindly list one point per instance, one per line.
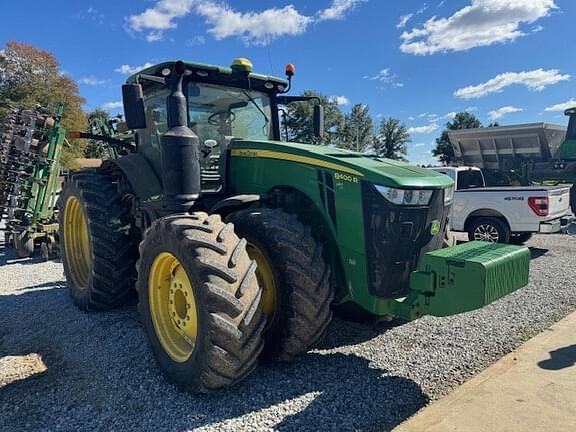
(465, 277)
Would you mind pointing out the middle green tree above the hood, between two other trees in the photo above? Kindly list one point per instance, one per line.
(358, 132)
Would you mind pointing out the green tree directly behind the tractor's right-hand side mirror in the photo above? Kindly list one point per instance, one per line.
(299, 119)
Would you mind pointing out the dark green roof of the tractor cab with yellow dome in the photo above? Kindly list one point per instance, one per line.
(239, 74)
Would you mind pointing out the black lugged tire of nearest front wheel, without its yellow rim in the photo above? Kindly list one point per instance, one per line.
(226, 294)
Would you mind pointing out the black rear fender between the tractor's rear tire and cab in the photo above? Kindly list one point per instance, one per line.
(140, 174)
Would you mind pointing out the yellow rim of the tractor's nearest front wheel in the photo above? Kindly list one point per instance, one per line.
(173, 307)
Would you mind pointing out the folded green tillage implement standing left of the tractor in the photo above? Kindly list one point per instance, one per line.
(30, 150)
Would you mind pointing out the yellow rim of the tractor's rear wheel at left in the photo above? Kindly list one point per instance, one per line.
(77, 243)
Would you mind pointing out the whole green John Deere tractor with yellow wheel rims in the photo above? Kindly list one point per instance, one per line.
(239, 244)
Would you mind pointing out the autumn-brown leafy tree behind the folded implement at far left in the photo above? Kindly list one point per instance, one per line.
(30, 76)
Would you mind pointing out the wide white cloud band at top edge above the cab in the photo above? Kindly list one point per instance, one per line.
(253, 27)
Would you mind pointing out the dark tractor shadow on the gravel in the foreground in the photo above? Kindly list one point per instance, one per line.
(99, 367)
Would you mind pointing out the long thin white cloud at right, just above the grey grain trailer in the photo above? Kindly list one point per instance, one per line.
(536, 80)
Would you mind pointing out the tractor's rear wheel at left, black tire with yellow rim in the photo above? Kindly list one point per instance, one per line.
(97, 251)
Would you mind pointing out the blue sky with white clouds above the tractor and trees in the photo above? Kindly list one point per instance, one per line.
(509, 60)
